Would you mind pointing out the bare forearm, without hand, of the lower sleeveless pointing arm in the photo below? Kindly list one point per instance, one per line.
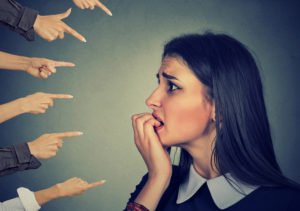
(11, 110)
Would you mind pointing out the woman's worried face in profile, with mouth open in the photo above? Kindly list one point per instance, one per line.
(181, 104)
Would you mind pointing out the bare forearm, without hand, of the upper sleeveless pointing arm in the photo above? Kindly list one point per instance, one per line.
(14, 62)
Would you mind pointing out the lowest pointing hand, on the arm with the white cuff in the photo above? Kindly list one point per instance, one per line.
(76, 186)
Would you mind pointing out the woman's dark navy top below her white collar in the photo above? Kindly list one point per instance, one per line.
(261, 199)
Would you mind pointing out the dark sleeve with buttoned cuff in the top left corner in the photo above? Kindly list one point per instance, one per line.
(18, 18)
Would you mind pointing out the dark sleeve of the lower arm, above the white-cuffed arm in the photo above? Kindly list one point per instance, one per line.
(16, 158)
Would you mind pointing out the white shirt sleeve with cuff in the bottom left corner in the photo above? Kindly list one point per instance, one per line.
(25, 202)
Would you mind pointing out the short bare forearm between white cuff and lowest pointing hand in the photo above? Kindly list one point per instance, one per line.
(46, 195)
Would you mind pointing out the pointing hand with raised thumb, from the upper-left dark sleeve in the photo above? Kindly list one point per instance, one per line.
(51, 27)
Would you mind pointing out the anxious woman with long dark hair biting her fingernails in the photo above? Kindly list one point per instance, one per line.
(209, 102)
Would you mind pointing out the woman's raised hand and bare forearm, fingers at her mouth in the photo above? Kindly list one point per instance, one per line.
(156, 158)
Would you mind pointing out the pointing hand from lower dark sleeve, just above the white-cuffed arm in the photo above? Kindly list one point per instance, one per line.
(47, 145)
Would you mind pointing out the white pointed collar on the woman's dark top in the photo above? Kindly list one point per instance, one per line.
(221, 190)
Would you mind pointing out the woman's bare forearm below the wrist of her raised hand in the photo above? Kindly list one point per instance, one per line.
(152, 193)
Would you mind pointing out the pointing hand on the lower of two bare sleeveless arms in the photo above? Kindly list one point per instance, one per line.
(39, 102)
